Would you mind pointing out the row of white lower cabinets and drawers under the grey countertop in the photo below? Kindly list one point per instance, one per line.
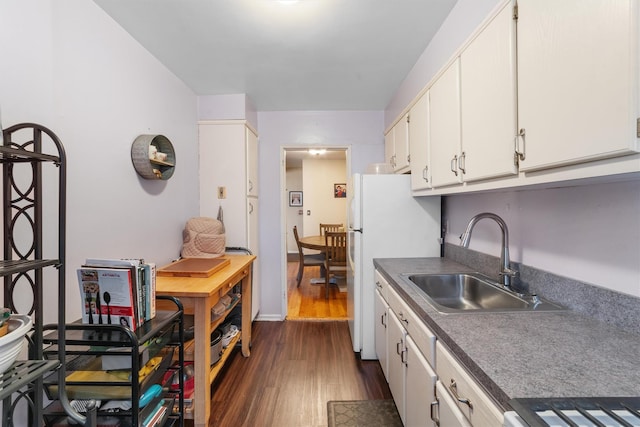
(429, 386)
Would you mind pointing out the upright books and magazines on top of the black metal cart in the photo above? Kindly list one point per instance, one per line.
(118, 291)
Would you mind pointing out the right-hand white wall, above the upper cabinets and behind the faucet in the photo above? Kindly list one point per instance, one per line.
(588, 233)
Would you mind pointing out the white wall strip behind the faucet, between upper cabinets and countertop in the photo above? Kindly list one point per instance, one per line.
(589, 233)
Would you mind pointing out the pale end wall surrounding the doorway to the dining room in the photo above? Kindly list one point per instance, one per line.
(360, 130)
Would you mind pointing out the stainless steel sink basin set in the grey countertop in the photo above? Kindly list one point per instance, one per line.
(472, 293)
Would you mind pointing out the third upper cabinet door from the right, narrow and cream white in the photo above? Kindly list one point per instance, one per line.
(444, 127)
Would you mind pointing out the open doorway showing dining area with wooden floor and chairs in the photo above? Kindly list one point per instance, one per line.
(309, 178)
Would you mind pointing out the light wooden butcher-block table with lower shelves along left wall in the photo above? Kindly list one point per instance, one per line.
(198, 296)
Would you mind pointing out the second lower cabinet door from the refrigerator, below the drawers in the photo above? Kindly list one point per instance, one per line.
(397, 367)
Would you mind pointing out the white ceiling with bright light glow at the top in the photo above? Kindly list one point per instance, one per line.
(309, 55)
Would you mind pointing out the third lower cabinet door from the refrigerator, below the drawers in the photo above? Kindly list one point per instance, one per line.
(420, 387)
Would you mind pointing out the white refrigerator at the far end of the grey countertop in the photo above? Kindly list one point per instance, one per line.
(384, 221)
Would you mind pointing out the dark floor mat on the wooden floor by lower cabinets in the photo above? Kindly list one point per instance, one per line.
(369, 413)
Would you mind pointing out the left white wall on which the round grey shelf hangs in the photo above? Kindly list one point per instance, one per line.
(70, 67)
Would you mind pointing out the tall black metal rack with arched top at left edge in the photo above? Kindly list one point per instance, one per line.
(27, 152)
